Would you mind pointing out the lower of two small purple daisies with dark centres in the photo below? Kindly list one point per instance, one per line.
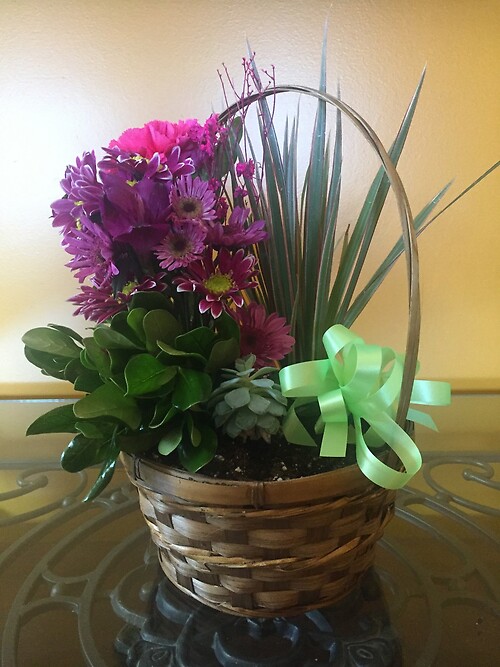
(183, 244)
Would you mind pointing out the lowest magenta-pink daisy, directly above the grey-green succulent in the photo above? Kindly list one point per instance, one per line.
(265, 336)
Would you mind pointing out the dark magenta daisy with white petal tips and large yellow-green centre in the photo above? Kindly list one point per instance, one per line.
(220, 280)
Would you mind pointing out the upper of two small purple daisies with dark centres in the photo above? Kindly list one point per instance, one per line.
(193, 199)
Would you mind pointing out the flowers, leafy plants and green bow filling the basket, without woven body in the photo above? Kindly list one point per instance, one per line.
(203, 267)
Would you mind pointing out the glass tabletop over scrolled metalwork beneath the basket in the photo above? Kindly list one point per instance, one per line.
(81, 583)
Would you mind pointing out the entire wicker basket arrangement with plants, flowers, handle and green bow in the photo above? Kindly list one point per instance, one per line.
(204, 266)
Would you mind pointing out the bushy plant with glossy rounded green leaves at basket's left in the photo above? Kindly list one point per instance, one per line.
(146, 385)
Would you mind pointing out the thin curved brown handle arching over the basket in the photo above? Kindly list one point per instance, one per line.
(405, 216)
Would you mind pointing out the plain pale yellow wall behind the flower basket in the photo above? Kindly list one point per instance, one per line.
(75, 74)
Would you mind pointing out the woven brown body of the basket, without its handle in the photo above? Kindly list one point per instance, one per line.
(262, 548)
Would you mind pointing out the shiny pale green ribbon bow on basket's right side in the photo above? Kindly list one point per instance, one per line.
(363, 381)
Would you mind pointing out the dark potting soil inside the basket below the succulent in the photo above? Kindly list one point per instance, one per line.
(257, 460)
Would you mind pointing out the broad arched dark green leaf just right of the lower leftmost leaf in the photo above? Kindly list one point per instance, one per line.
(109, 401)
